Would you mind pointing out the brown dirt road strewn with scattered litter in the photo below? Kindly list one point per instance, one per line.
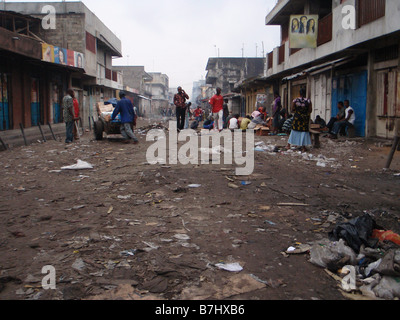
(127, 229)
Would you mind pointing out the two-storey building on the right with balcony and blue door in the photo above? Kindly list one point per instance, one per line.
(356, 58)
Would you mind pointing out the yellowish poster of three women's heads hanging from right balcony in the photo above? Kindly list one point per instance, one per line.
(303, 31)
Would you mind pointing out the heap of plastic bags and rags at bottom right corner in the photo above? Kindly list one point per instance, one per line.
(364, 259)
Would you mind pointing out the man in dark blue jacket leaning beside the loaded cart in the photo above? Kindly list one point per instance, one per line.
(128, 116)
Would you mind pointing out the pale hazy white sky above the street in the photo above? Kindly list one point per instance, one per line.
(177, 37)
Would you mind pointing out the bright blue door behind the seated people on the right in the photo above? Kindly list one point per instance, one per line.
(352, 87)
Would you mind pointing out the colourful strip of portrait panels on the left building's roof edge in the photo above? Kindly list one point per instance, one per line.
(62, 56)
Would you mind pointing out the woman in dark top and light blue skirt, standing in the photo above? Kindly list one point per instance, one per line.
(300, 135)
